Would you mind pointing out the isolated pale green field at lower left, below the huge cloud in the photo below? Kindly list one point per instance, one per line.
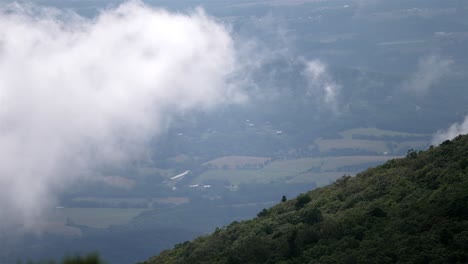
(94, 217)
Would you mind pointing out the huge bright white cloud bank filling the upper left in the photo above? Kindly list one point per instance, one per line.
(79, 92)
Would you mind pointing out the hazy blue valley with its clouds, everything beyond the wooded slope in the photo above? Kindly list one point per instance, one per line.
(127, 127)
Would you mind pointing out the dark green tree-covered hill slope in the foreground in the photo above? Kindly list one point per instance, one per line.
(409, 210)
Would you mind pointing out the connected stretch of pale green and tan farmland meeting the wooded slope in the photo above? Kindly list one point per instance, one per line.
(365, 147)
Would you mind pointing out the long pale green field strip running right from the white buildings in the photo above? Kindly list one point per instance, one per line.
(319, 170)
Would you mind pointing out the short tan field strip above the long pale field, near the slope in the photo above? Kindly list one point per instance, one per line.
(348, 143)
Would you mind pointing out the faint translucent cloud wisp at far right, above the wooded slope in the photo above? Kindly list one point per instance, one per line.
(431, 69)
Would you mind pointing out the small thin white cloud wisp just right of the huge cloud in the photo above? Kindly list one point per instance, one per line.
(322, 85)
